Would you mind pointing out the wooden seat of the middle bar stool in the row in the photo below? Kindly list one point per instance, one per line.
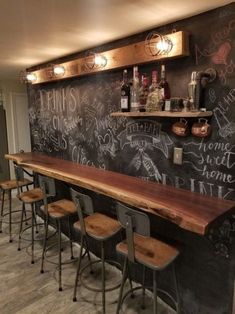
(61, 208)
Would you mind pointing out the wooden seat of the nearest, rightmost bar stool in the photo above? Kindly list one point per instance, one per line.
(149, 251)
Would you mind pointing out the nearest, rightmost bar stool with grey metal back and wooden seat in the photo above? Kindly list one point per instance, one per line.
(141, 248)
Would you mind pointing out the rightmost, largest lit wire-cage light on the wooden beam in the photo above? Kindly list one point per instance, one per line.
(156, 44)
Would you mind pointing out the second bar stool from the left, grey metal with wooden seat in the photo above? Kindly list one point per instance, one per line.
(29, 197)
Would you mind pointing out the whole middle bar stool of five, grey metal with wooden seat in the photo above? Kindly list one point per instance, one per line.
(55, 212)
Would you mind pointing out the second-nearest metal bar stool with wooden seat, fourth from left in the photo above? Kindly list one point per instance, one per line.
(96, 226)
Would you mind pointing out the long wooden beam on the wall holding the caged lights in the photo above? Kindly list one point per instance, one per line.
(118, 58)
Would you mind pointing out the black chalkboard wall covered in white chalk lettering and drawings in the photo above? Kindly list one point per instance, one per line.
(71, 120)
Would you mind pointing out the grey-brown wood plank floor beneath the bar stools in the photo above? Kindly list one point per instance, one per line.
(23, 290)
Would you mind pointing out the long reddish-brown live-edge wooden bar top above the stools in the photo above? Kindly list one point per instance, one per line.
(189, 210)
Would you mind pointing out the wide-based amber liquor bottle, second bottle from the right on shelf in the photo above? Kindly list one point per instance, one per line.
(154, 94)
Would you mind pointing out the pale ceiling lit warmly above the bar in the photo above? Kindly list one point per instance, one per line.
(35, 31)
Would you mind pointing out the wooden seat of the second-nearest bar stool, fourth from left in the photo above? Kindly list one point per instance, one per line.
(99, 226)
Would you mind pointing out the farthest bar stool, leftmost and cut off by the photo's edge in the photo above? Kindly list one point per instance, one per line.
(6, 187)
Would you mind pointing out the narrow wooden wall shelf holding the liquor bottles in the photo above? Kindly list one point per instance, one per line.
(170, 114)
